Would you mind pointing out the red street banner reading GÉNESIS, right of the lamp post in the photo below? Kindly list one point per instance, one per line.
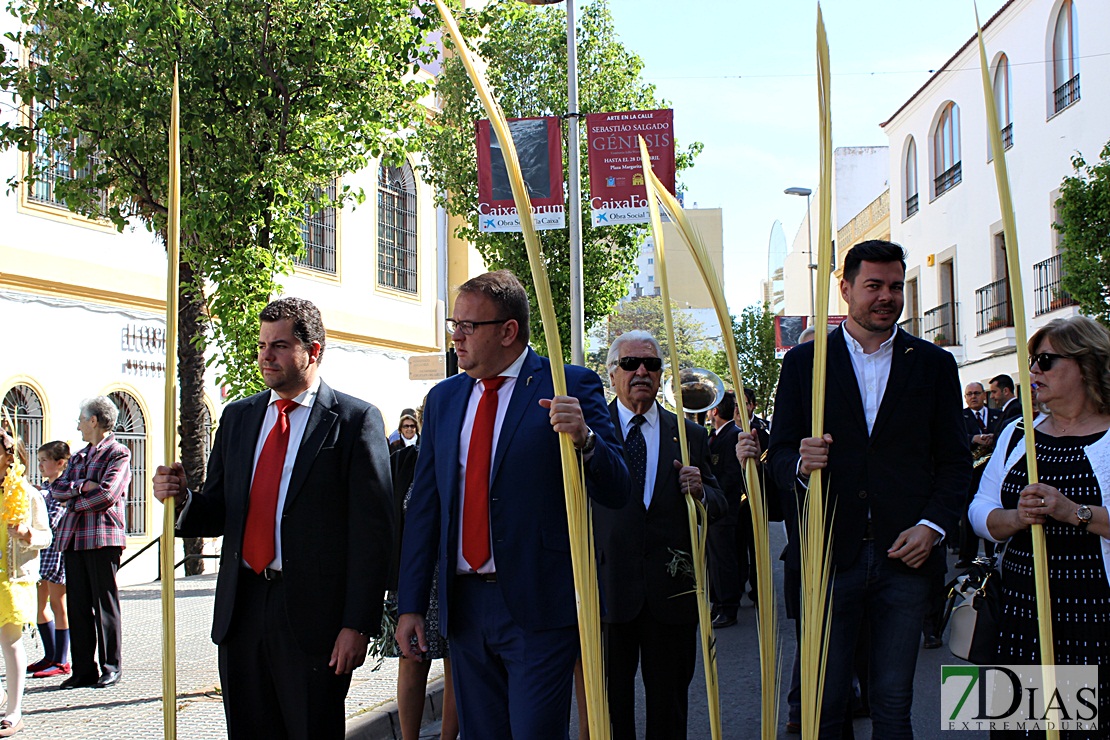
(618, 195)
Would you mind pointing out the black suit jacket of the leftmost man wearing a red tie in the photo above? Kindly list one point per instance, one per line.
(337, 529)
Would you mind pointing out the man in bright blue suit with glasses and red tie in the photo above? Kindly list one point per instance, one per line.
(488, 505)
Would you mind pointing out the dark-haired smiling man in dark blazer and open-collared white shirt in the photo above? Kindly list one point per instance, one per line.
(897, 470)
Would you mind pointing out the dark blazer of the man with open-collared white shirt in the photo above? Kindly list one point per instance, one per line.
(915, 465)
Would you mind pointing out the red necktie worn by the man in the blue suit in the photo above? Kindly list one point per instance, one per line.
(477, 499)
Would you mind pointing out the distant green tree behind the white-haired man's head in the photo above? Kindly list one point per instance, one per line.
(647, 313)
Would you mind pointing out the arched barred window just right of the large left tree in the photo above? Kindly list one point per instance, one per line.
(397, 229)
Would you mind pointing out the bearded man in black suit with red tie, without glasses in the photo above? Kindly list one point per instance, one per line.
(299, 486)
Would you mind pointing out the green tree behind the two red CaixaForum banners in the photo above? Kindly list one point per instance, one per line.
(527, 50)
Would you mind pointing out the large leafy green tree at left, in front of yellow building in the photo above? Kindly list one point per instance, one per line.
(278, 98)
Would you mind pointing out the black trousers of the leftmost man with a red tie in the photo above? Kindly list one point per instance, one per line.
(271, 687)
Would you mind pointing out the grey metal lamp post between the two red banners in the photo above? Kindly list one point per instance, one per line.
(578, 315)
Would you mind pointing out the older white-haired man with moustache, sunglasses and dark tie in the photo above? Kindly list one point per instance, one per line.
(643, 549)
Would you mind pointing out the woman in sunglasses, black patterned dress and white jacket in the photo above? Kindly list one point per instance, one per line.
(1071, 369)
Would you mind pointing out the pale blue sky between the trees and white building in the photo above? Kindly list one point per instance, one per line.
(741, 76)
